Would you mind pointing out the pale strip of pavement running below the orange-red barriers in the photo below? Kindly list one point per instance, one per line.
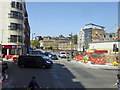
(107, 66)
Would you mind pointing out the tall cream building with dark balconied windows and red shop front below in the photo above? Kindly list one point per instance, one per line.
(13, 27)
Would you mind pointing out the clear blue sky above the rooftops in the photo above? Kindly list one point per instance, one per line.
(62, 18)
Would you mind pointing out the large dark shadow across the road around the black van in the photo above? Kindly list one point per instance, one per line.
(57, 77)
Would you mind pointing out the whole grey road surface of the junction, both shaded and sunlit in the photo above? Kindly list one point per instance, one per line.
(63, 74)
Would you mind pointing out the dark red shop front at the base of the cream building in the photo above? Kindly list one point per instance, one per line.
(11, 49)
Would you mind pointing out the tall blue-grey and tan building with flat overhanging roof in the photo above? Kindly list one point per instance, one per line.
(92, 33)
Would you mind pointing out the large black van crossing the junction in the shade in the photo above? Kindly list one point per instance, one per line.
(33, 61)
